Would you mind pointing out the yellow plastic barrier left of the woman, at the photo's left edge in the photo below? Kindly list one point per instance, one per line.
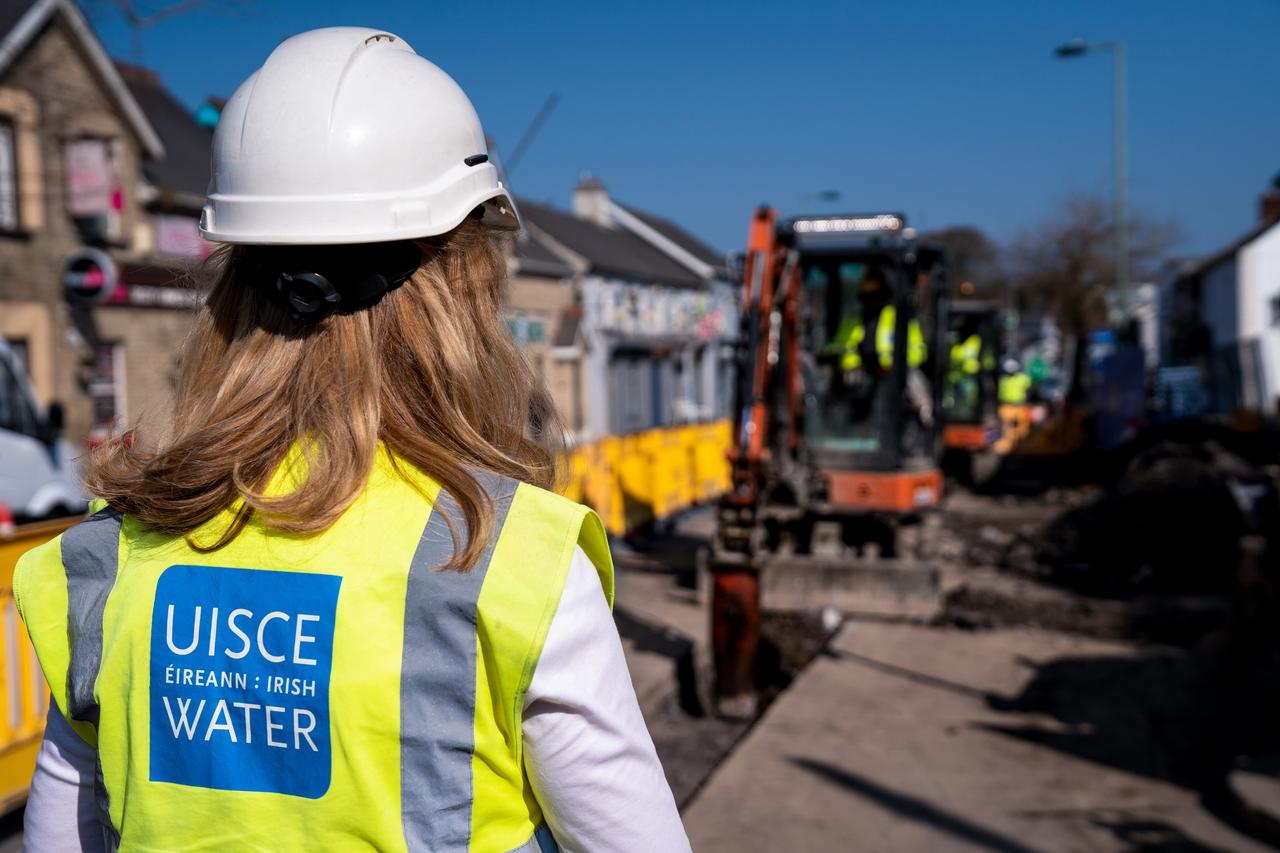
(24, 695)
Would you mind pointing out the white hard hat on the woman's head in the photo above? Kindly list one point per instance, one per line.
(348, 136)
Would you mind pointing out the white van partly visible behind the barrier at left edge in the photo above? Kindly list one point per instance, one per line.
(39, 473)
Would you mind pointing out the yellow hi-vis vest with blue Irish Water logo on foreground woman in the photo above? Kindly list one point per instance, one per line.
(332, 692)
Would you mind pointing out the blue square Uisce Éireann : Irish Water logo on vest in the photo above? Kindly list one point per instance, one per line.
(240, 679)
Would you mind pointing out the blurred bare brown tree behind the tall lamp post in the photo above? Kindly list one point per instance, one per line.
(1066, 266)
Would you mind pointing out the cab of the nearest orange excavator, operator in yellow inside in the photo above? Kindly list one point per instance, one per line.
(870, 363)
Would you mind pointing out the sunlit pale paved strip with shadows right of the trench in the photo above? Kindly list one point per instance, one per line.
(908, 738)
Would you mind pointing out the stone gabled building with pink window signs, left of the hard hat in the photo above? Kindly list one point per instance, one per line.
(102, 179)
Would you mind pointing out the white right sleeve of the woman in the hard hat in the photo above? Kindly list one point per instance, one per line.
(587, 749)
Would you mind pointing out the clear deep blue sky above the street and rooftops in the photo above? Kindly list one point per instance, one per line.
(950, 112)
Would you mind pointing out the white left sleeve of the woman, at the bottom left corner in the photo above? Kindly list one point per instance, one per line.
(62, 816)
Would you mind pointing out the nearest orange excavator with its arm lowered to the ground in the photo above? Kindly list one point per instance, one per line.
(836, 439)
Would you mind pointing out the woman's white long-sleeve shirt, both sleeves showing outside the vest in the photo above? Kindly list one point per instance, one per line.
(588, 752)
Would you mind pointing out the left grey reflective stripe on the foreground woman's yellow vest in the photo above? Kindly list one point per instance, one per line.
(92, 559)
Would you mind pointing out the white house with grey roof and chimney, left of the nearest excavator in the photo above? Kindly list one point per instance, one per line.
(655, 316)
